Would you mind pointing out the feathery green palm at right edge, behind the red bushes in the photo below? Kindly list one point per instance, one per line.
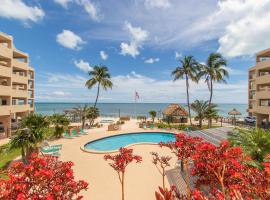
(254, 142)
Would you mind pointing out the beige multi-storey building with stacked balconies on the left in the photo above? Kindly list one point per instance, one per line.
(16, 85)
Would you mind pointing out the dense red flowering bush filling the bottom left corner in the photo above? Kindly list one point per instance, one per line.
(42, 178)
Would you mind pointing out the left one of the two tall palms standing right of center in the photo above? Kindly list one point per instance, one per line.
(188, 70)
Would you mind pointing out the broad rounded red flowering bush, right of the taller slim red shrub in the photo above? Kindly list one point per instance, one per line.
(218, 167)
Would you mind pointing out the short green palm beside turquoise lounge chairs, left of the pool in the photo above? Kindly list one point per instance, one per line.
(59, 122)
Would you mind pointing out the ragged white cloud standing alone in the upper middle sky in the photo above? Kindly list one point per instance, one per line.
(138, 37)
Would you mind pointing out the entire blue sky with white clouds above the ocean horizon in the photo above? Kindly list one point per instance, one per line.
(140, 41)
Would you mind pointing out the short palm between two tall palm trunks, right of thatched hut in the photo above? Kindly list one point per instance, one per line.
(201, 108)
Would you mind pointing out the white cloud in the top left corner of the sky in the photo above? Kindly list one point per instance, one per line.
(17, 9)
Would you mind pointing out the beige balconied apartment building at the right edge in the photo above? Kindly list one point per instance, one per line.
(259, 88)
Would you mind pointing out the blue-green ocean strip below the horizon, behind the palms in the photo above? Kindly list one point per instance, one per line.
(131, 109)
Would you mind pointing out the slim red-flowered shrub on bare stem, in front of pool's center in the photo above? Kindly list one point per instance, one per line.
(120, 162)
